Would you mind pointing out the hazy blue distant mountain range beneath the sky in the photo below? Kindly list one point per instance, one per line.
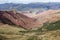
(9, 6)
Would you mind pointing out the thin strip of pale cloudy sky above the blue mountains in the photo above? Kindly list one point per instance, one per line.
(26, 1)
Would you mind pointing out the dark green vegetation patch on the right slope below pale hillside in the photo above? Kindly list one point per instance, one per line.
(51, 26)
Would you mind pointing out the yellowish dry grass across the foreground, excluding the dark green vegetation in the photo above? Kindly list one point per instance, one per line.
(8, 32)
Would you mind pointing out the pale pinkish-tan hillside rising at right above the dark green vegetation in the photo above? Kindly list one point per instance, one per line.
(48, 16)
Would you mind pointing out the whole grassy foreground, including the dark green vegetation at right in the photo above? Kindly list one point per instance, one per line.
(49, 31)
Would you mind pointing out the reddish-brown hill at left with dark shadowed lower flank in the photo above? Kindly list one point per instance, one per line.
(9, 17)
